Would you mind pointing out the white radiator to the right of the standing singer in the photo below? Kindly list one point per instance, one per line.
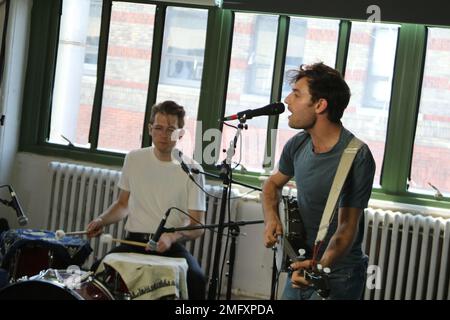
(408, 254)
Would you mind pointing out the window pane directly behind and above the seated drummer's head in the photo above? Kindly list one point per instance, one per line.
(182, 66)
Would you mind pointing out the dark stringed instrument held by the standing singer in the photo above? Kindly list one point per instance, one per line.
(286, 253)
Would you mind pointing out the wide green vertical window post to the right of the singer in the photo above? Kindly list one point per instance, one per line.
(404, 107)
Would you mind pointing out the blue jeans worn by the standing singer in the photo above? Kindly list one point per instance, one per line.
(346, 283)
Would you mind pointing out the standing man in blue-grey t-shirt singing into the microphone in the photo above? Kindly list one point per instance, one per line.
(317, 102)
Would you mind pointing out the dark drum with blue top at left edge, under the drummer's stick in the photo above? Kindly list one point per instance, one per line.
(27, 251)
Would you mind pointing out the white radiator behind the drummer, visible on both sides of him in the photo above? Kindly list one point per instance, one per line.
(80, 193)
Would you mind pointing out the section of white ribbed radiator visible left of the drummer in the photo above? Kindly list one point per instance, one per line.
(78, 195)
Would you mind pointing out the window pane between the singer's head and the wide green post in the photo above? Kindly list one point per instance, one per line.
(369, 73)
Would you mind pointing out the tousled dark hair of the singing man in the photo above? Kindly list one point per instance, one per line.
(324, 83)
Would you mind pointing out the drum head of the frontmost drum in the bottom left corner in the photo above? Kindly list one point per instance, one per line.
(37, 290)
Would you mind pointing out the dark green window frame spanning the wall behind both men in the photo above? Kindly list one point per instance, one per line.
(403, 111)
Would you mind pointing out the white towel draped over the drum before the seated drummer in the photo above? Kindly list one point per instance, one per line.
(149, 277)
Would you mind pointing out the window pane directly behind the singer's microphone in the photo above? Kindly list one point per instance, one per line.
(249, 83)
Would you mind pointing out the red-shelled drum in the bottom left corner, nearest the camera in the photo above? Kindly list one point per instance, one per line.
(54, 284)
